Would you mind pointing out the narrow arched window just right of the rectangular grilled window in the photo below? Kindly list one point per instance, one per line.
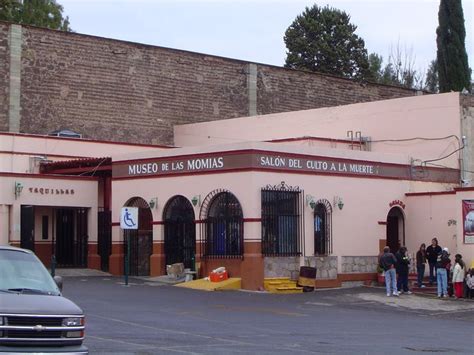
(322, 228)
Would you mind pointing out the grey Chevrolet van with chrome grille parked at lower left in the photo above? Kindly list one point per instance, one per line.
(34, 316)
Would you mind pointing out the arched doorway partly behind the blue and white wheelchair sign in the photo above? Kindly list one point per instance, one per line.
(141, 239)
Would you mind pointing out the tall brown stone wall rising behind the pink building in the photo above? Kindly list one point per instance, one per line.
(114, 90)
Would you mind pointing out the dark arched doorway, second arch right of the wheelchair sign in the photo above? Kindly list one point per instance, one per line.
(180, 232)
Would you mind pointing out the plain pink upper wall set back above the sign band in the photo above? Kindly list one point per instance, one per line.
(428, 116)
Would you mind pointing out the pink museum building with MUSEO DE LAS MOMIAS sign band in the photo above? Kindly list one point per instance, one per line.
(262, 195)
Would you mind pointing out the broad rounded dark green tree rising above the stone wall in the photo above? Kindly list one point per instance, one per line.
(323, 40)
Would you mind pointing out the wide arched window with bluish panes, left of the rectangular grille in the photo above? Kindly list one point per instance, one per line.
(223, 226)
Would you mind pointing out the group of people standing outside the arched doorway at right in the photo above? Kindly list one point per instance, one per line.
(441, 269)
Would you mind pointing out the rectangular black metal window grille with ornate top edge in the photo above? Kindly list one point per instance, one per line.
(282, 222)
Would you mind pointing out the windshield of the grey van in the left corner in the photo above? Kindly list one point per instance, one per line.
(20, 271)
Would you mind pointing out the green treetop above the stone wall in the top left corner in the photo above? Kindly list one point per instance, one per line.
(41, 13)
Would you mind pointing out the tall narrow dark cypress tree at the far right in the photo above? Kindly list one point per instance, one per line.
(453, 68)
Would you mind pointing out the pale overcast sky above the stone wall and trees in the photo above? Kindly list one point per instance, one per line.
(253, 30)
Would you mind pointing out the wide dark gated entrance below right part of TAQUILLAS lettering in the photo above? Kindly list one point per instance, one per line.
(70, 243)
